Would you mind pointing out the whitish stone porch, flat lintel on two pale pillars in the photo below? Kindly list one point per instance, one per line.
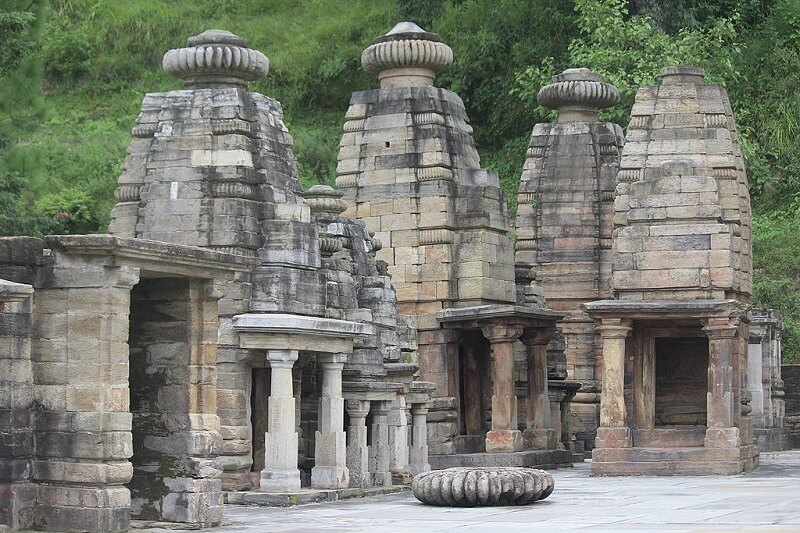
(284, 336)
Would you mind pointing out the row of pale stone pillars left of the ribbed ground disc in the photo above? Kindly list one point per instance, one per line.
(341, 460)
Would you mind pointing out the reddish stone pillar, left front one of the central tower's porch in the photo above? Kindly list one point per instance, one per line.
(504, 435)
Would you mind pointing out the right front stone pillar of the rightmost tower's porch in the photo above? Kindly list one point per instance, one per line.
(721, 432)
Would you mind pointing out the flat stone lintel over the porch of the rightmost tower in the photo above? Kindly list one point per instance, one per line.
(666, 309)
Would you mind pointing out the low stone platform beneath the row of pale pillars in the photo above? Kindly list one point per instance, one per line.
(287, 499)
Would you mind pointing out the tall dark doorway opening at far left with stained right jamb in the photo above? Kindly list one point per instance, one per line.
(172, 392)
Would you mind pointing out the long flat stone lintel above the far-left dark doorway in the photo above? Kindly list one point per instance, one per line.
(154, 258)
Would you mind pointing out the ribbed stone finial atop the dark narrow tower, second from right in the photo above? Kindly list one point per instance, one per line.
(578, 94)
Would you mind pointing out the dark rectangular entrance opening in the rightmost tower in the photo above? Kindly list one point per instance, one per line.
(681, 381)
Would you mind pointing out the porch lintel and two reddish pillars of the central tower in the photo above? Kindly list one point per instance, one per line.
(503, 325)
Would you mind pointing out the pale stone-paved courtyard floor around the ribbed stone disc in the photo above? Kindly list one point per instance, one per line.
(767, 500)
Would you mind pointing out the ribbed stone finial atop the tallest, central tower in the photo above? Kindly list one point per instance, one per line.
(407, 56)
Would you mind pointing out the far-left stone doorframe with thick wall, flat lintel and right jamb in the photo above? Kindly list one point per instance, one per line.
(85, 424)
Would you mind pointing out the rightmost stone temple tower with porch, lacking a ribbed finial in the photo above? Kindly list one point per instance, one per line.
(675, 335)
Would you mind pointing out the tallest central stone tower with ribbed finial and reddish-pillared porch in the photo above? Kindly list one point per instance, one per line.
(409, 168)
